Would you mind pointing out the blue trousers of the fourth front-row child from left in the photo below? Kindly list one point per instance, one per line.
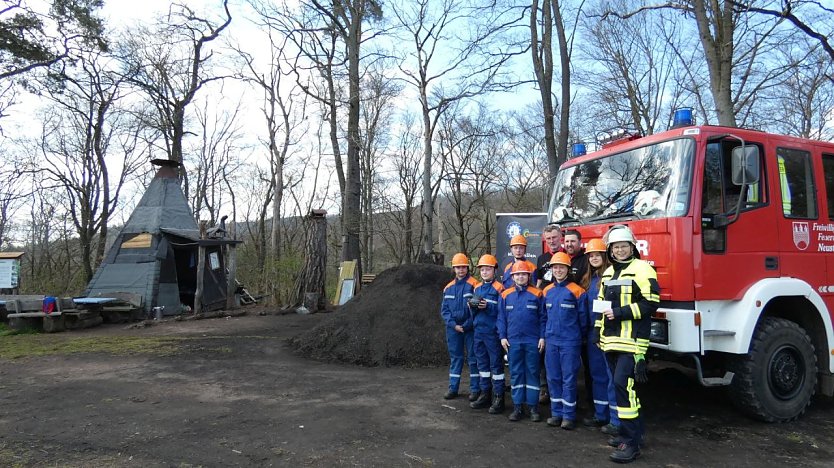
(562, 363)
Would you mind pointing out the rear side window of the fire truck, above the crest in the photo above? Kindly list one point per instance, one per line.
(796, 183)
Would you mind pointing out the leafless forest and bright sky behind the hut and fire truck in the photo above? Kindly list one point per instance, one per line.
(411, 122)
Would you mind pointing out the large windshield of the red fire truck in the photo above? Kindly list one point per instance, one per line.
(649, 182)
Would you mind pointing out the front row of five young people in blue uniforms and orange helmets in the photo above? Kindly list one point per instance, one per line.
(489, 318)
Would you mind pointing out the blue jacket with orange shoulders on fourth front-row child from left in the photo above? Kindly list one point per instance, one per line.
(566, 307)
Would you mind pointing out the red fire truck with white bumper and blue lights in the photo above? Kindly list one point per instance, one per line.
(739, 225)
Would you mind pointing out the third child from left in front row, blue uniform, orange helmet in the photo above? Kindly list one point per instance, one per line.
(521, 322)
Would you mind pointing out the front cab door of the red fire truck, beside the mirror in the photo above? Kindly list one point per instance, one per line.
(736, 255)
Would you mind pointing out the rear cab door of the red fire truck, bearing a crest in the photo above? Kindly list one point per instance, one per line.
(801, 234)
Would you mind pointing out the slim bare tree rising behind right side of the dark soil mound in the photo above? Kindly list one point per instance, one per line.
(446, 67)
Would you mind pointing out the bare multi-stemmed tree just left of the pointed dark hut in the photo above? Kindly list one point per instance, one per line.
(77, 141)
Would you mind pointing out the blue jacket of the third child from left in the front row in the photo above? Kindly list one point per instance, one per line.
(521, 316)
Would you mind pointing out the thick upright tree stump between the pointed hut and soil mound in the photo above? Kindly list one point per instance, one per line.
(310, 288)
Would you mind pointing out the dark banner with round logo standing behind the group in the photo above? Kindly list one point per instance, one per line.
(530, 225)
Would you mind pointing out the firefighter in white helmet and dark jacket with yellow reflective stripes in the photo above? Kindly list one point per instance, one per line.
(630, 284)
